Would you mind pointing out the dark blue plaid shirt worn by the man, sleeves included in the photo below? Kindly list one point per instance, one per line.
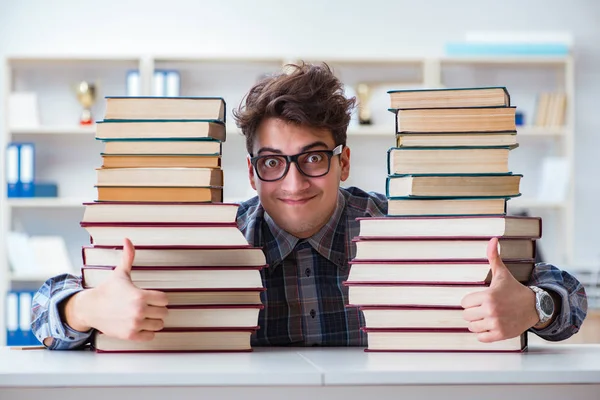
(305, 301)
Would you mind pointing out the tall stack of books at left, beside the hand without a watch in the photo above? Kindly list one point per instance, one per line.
(161, 186)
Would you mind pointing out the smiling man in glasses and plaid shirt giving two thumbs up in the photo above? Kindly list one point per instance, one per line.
(295, 126)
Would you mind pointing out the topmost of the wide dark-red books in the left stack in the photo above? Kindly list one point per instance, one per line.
(160, 212)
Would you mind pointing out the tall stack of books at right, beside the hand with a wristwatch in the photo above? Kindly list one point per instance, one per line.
(448, 183)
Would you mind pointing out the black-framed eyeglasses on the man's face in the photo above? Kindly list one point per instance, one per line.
(313, 164)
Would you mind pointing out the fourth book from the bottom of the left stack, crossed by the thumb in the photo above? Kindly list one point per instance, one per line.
(182, 278)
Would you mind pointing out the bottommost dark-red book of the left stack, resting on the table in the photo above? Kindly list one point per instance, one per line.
(179, 340)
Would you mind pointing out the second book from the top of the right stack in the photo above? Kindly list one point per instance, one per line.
(474, 119)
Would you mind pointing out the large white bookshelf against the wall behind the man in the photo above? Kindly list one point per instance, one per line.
(68, 154)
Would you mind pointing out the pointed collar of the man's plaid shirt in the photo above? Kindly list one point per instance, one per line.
(329, 241)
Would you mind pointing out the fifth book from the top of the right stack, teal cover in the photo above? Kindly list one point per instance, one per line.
(443, 186)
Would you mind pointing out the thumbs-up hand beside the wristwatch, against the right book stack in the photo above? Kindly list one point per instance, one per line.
(505, 309)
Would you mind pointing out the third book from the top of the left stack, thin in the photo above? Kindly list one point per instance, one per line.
(162, 147)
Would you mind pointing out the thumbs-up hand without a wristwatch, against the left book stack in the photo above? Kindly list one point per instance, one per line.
(117, 307)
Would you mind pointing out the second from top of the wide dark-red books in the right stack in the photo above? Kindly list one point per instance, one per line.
(440, 249)
